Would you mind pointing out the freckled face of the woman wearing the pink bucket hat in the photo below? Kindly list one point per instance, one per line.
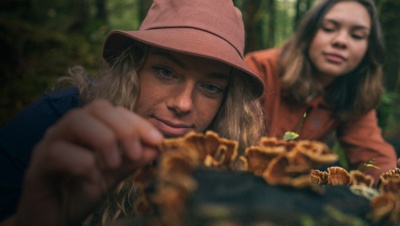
(180, 93)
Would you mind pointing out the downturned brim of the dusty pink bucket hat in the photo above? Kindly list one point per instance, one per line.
(189, 41)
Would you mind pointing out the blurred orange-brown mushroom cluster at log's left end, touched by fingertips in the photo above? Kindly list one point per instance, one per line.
(166, 186)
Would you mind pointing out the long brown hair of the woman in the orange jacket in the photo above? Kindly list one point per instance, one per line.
(352, 94)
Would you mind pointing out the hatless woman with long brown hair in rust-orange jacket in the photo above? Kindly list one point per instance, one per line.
(325, 82)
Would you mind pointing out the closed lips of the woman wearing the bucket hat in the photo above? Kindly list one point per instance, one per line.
(171, 129)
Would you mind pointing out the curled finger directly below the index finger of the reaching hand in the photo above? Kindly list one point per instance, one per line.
(82, 128)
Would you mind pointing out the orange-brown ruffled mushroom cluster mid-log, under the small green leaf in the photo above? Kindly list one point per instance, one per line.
(287, 162)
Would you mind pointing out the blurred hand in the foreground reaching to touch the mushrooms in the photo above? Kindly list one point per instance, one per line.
(80, 159)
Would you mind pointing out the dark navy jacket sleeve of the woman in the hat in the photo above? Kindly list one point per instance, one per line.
(20, 135)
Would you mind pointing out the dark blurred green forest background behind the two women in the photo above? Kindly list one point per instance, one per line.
(41, 39)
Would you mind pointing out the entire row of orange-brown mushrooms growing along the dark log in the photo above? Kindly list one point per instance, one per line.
(166, 185)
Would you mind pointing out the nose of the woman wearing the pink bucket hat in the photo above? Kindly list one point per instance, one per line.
(181, 102)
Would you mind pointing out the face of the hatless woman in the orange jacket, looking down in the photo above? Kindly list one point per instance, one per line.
(341, 41)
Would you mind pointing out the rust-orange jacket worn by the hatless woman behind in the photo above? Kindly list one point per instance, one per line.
(361, 139)
